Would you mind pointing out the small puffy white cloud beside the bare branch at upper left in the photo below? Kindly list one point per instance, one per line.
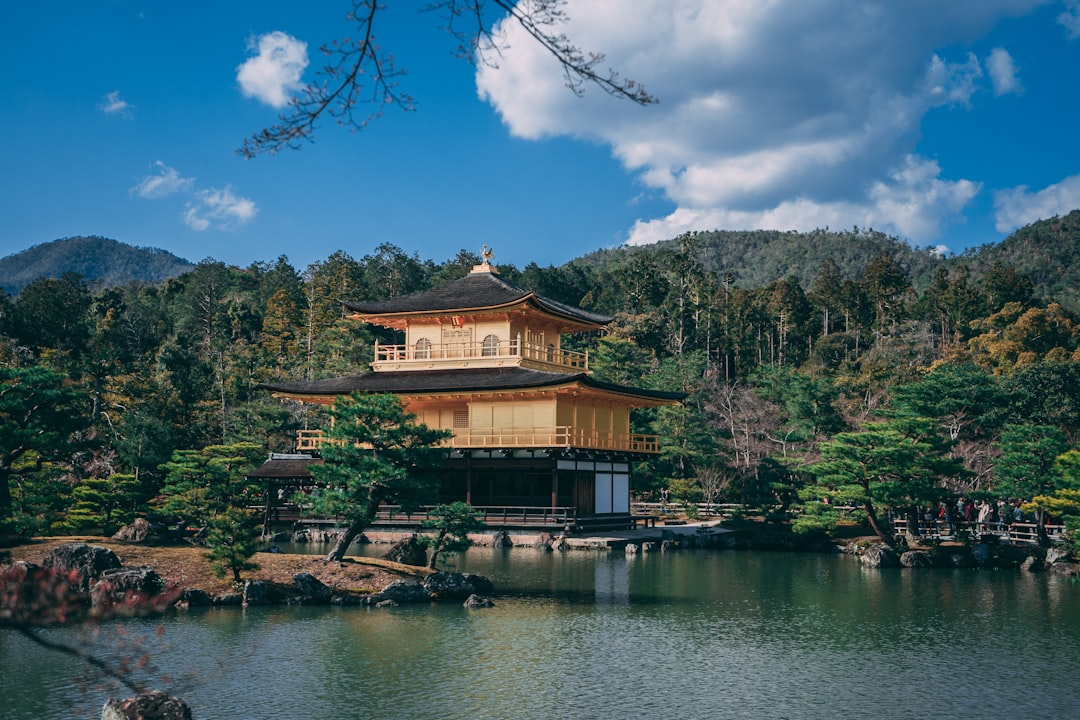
(276, 71)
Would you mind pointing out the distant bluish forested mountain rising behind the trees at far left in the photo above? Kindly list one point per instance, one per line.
(101, 262)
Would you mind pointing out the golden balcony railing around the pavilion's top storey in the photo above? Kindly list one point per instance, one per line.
(479, 355)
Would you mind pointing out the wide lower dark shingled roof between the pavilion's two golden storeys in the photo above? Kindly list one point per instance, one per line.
(464, 381)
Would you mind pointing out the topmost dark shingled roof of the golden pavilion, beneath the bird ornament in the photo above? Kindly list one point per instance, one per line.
(475, 292)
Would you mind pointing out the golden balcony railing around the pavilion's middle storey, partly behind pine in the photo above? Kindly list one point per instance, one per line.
(561, 437)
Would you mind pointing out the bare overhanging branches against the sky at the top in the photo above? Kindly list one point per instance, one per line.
(360, 73)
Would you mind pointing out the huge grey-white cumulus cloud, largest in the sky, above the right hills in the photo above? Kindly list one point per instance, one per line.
(748, 137)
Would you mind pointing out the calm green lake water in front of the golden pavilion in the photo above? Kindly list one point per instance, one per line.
(703, 634)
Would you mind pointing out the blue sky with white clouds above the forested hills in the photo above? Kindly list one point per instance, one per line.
(948, 125)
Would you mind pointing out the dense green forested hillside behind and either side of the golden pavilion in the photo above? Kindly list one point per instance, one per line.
(884, 377)
